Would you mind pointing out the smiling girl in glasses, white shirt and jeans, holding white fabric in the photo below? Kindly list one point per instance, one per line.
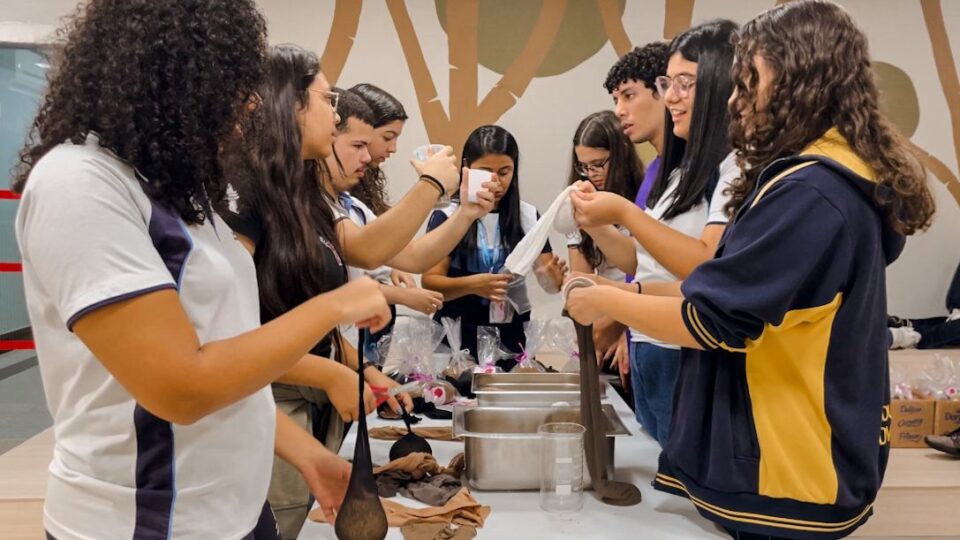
(685, 217)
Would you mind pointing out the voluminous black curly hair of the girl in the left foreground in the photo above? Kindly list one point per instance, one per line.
(162, 83)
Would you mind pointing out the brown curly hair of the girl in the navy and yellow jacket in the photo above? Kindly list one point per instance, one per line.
(822, 79)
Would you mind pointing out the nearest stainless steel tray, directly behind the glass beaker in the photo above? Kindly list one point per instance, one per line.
(502, 447)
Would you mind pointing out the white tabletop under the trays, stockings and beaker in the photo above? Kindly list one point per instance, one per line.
(518, 514)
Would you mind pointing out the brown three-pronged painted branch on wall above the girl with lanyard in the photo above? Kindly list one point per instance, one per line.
(467, 111)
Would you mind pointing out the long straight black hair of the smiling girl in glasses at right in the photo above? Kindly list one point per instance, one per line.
(698, 158)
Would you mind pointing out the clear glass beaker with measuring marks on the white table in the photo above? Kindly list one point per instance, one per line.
(561, 467)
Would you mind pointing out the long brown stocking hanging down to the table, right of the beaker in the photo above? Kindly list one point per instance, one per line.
(595, 439)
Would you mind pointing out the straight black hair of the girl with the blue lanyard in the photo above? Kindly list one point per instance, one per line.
(485, 141)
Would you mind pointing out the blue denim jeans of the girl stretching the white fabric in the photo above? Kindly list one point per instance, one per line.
(653, 373)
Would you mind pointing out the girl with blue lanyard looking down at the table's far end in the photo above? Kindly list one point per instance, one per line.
(469, 277)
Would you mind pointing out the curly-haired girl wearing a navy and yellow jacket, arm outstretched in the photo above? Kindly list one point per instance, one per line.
(782, 423)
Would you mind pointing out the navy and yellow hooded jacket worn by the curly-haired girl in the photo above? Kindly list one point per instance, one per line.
(781, 422)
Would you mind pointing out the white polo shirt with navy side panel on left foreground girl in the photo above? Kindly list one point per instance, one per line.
(90, 236)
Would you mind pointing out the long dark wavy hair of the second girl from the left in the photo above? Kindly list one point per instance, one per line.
(296, 212)
